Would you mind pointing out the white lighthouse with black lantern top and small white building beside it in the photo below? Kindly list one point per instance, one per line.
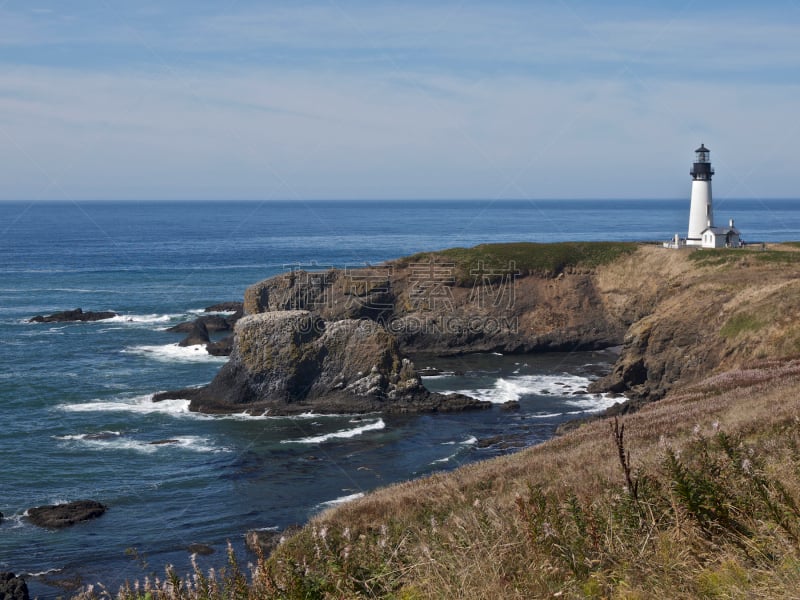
(702, 232)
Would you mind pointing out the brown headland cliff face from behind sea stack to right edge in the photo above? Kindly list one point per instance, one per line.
(678, 315)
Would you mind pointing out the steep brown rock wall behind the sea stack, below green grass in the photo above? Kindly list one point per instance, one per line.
(529, 314)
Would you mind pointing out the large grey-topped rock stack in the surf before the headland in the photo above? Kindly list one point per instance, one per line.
(289, 362)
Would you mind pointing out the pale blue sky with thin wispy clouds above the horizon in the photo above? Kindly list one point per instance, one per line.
(355, 99)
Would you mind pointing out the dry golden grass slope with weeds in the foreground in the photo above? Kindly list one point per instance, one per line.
(559, 520)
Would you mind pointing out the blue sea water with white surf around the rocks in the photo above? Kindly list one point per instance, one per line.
(78, 420)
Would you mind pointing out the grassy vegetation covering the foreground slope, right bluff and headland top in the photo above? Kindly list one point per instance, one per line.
(696, 495)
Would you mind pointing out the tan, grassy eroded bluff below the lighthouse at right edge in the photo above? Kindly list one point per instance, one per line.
(714, 311)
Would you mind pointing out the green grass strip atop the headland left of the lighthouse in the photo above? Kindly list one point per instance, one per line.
(523, 258)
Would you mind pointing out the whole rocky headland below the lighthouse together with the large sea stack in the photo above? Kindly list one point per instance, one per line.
(677, 315)
